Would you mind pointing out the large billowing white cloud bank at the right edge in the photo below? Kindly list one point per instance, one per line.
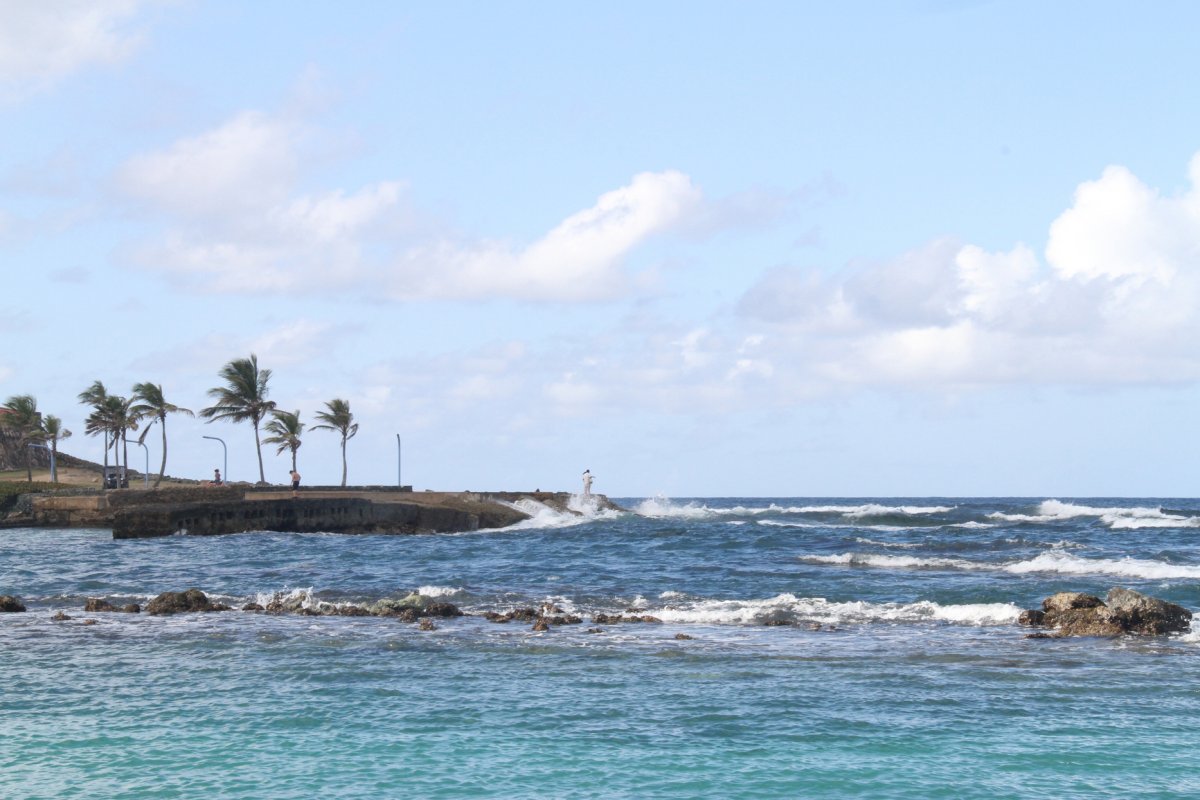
(1117, 299)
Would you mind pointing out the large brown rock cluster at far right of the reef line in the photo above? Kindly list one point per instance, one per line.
(1123, 612)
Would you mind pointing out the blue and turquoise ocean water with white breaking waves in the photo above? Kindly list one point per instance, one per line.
(842, 648)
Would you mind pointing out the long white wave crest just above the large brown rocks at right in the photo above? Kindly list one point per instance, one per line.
(1055, 561)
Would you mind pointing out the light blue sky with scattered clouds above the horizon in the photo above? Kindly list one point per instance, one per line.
(770, 249)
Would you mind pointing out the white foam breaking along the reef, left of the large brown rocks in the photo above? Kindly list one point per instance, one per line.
(788, 607)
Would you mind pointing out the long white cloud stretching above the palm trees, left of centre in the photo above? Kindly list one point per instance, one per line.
(238, 224)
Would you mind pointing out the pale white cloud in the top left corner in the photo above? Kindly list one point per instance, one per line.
(41, 43)
